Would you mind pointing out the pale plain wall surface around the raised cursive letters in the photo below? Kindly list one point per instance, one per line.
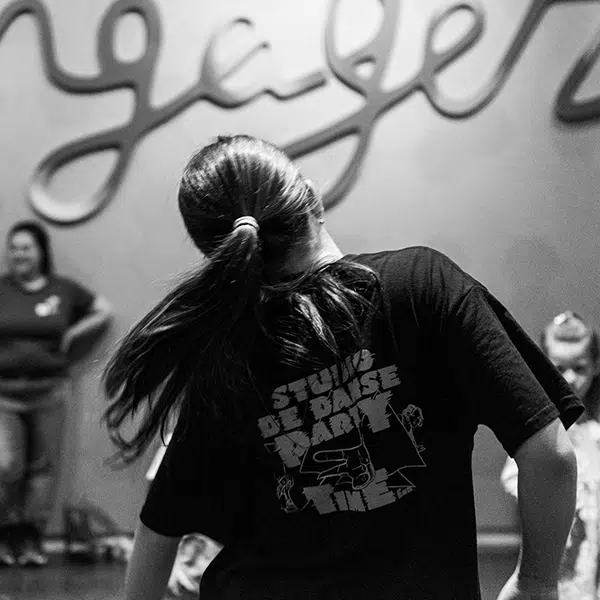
(510, 193)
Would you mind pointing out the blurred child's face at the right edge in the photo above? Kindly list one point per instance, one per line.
(574, 362)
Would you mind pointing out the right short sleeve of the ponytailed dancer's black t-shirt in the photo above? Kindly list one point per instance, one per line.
(508, 381)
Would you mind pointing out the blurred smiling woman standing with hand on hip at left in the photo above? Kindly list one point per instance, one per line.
(41, 314)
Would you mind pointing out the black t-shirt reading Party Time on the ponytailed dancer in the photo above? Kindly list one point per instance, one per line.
(363, 489)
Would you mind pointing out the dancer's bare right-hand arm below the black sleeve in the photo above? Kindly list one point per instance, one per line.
(547, 495)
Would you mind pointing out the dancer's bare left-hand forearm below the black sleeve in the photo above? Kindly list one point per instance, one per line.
(150, 564)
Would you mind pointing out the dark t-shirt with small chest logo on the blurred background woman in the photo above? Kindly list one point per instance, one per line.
(32, 325)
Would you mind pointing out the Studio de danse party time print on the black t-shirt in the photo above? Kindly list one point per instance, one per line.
(342, 444)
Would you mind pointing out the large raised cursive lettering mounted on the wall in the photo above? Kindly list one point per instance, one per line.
(138, 76)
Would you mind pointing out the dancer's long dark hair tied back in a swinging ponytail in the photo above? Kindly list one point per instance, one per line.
(200, 345)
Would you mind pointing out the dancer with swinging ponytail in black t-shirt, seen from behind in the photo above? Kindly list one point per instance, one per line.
(312, 440)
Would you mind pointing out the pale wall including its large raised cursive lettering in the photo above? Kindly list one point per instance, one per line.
(473, 127)
